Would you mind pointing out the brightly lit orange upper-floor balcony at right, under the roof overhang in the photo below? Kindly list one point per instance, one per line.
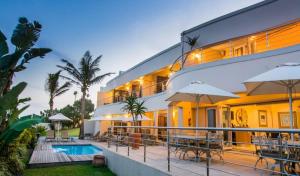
(272, 39)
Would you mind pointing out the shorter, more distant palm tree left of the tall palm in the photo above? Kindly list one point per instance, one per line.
(52, 86)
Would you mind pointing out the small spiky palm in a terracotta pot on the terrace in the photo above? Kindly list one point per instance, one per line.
(135, 108)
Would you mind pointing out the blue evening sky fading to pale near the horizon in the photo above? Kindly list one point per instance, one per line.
(125, 32)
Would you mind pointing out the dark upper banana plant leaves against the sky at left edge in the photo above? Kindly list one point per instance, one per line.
(24, 37)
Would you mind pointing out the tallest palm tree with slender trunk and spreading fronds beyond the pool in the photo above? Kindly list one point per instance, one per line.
(84, 76)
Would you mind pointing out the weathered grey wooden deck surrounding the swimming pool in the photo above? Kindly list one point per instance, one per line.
(43, 154)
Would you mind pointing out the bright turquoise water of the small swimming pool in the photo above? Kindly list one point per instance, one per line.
(76, 149)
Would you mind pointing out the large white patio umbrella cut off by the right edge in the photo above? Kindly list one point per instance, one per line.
(282, 79)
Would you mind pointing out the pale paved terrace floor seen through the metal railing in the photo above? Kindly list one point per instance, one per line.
(235, 163)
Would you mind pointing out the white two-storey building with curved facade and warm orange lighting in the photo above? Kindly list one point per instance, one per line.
(229, 50)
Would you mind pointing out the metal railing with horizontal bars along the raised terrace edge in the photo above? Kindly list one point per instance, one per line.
(210, 151)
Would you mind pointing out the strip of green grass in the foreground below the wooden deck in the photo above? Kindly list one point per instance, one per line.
(69, 170)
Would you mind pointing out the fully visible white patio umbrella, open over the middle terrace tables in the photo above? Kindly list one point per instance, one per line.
(200, 92)
